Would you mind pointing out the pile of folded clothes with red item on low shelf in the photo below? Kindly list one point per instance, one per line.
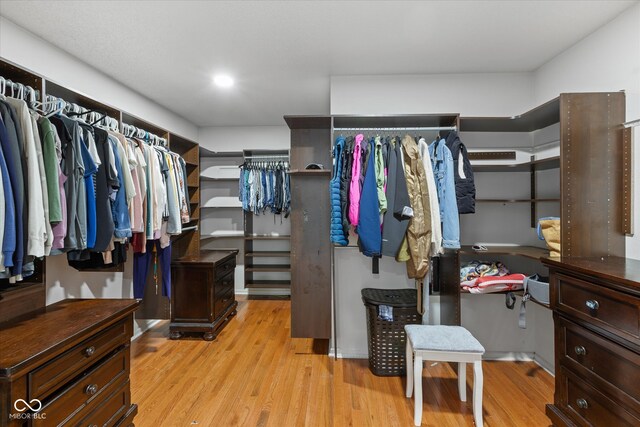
(479, 277)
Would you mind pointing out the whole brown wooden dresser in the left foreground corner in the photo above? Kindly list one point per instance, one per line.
(70, 363)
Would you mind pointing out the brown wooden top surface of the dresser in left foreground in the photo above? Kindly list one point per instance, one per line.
(29, 342)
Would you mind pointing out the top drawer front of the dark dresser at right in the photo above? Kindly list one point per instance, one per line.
(614, 311)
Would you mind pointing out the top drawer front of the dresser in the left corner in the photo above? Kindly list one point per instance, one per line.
(46, 379)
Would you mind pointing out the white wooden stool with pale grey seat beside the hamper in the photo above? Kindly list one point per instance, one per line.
(444, 344)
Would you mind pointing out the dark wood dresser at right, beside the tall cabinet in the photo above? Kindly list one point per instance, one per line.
(596, 312)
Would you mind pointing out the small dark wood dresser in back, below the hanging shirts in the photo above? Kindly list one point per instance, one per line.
(203, 293)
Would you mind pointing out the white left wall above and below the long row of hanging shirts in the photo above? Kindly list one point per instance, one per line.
(29, 51)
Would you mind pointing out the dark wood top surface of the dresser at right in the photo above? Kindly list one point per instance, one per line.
(623, 271)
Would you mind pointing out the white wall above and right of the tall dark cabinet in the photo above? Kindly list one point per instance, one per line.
(606, 60)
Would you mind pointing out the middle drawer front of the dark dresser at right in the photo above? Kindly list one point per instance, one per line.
(592, 355)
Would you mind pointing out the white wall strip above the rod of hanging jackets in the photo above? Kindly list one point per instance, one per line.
(500, 94)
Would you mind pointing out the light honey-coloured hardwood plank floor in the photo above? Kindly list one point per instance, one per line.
(254, 374)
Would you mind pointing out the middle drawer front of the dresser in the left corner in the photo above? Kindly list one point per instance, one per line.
(87, 392)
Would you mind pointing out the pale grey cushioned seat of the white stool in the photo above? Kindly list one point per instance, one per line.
(442, 338)
